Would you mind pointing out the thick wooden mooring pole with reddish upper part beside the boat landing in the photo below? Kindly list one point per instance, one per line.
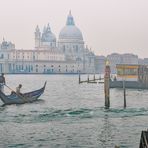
(106, 86)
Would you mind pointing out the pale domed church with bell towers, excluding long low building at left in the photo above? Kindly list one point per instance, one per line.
(70, 43)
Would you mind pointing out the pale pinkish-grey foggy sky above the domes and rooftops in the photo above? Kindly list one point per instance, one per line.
(107, 25)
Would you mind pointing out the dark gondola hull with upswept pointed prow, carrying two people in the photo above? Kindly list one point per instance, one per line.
(22, 98)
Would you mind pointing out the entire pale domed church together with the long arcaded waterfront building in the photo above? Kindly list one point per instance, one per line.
(67, 55)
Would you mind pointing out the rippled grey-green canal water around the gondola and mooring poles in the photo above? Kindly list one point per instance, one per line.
(72, 115)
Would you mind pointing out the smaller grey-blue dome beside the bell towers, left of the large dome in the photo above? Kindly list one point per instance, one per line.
(47, 35)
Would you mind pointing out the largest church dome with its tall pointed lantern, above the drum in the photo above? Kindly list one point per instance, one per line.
(70, 31)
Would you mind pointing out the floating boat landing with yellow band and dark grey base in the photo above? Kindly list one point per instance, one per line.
(132, 75)
